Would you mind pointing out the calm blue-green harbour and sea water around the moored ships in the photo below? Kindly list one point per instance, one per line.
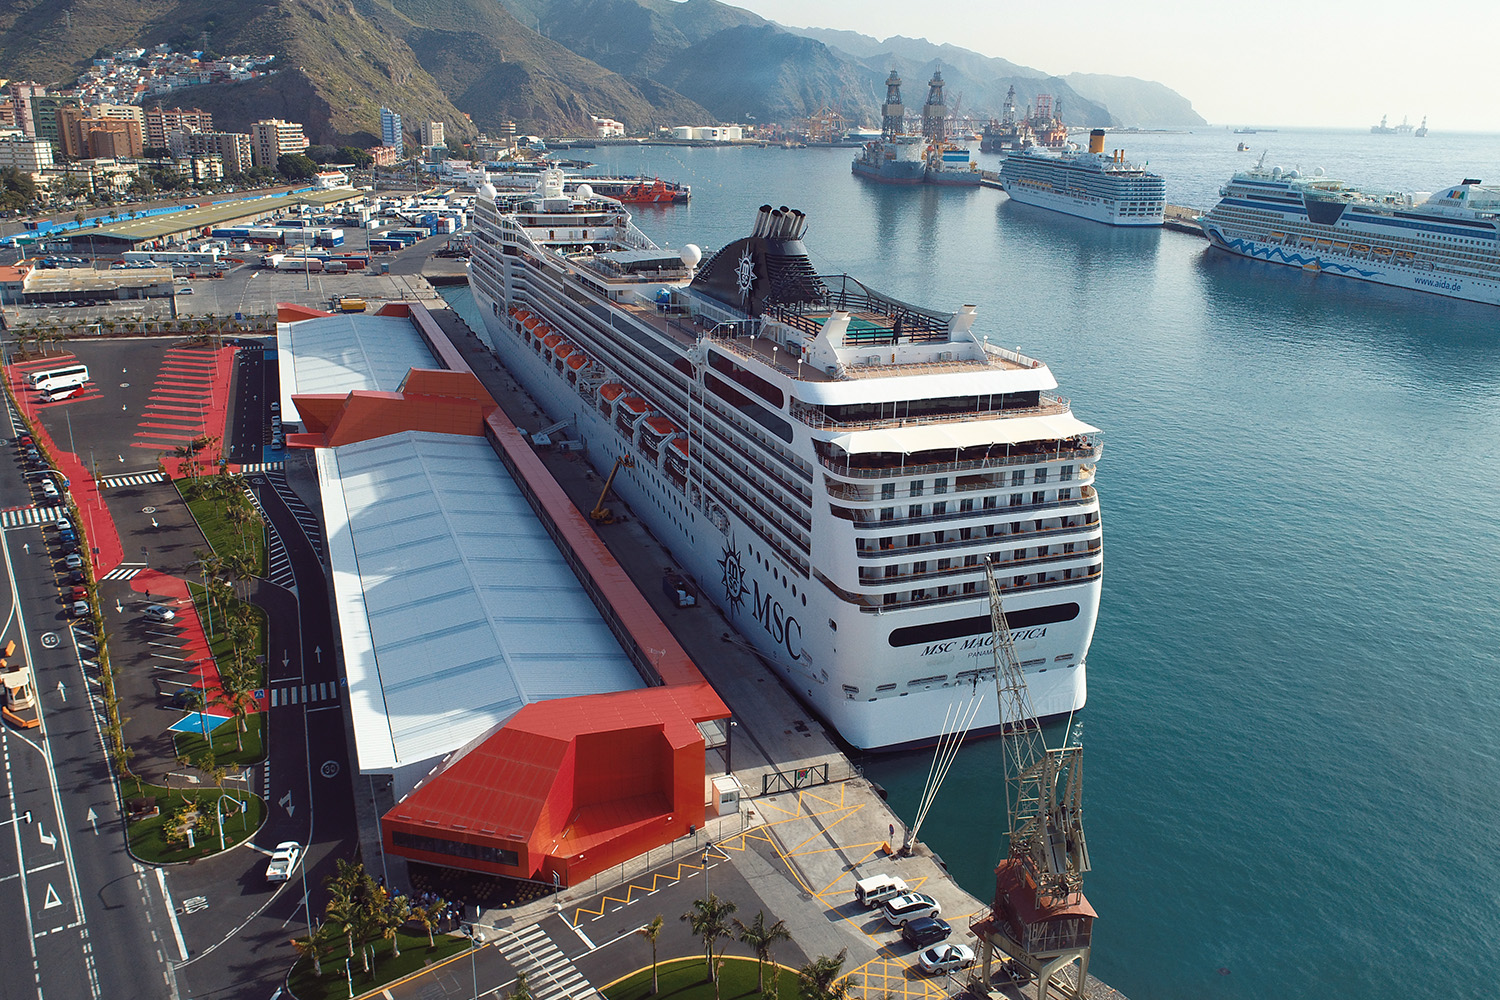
(1292, 738)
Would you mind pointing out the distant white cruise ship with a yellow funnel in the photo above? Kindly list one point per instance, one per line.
(1088, 185)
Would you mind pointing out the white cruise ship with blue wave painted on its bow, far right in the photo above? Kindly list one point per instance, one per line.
(1445, 244)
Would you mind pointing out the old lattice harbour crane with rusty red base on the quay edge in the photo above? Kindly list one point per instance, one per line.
(1040, 920)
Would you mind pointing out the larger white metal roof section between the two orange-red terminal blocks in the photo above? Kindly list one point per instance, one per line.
(455, 605)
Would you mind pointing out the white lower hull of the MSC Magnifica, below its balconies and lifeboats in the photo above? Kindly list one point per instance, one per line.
(883, 681)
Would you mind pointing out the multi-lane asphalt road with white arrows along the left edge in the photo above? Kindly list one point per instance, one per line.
(94, 923)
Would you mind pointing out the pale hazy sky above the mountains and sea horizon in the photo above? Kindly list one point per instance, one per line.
(1331, 64)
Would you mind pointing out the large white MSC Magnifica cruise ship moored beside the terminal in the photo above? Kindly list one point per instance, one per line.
(832, 466)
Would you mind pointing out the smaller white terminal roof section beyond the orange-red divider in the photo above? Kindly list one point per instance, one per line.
(340, 355)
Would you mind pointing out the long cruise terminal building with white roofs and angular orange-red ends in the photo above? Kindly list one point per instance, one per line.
(533, 716)
